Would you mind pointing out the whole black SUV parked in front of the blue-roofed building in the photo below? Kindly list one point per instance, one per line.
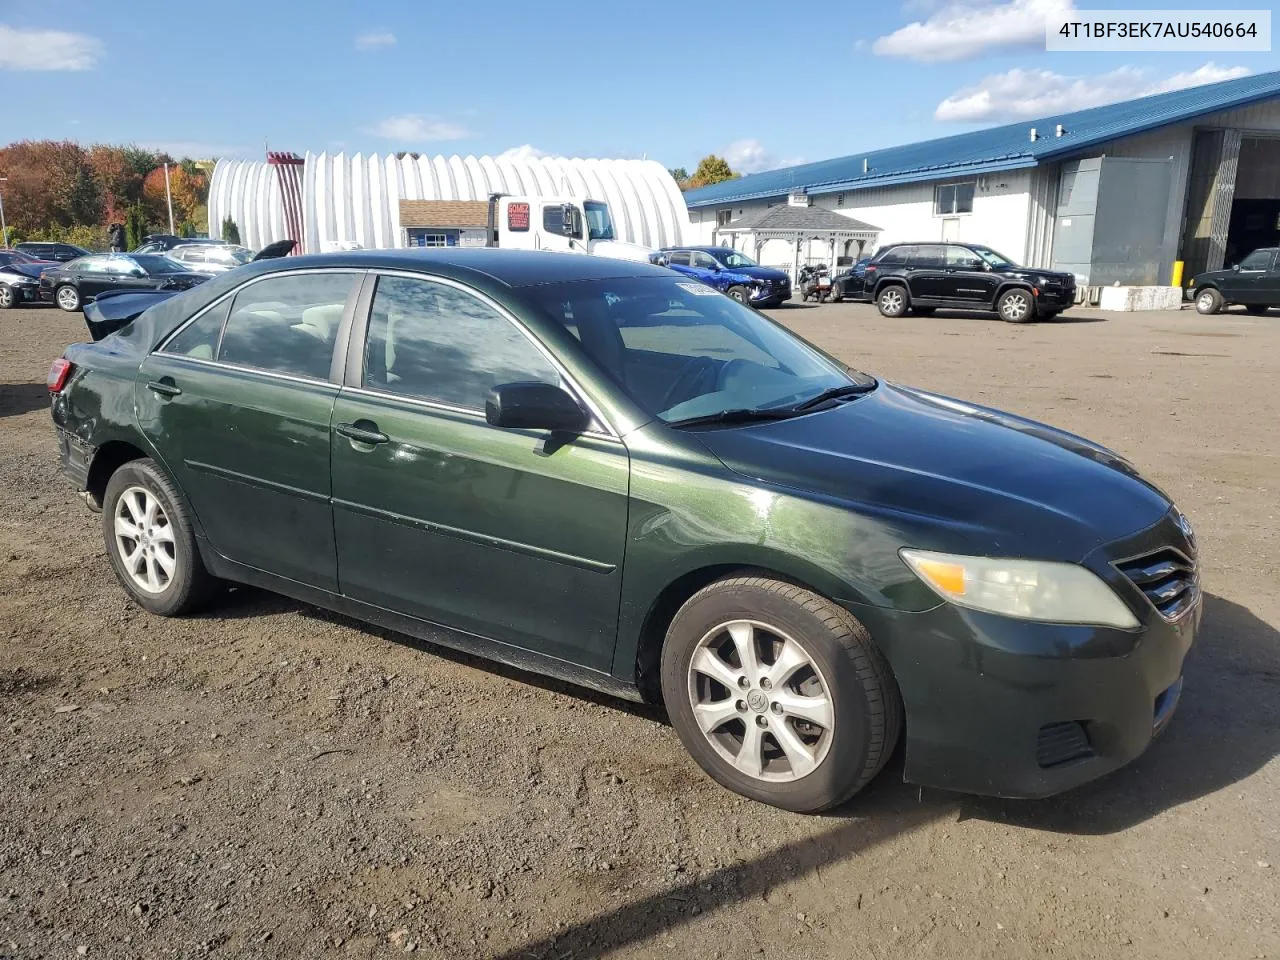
(922, 277)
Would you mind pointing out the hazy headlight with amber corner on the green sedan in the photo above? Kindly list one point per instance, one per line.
(1040, 591)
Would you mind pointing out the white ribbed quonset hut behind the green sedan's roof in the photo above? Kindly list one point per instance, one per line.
(342, 200)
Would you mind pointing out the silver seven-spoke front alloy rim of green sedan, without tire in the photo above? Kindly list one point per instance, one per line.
(761, 701)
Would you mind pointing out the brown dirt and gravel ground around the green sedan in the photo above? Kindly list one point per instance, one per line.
(268, 780)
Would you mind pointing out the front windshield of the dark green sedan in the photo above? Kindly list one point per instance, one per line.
(684, 351)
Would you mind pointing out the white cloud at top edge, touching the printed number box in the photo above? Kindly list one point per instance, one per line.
(968, 29)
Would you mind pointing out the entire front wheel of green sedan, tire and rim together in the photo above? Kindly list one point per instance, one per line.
(843, 680)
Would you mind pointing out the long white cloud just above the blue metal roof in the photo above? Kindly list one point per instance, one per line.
(1023, 95)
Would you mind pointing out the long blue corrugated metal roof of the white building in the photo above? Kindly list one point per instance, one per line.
(1007, 148)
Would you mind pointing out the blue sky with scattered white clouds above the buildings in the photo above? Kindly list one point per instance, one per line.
(760, 83)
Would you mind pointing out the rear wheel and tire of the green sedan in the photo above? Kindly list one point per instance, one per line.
(168, 589)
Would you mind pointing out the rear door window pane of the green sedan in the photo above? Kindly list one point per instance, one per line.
(287, 324)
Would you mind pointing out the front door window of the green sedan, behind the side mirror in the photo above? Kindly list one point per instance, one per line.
(444, 345)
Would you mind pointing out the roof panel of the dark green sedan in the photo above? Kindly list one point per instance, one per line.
(513, 268)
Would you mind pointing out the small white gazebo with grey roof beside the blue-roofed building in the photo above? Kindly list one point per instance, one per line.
(799, 225)
